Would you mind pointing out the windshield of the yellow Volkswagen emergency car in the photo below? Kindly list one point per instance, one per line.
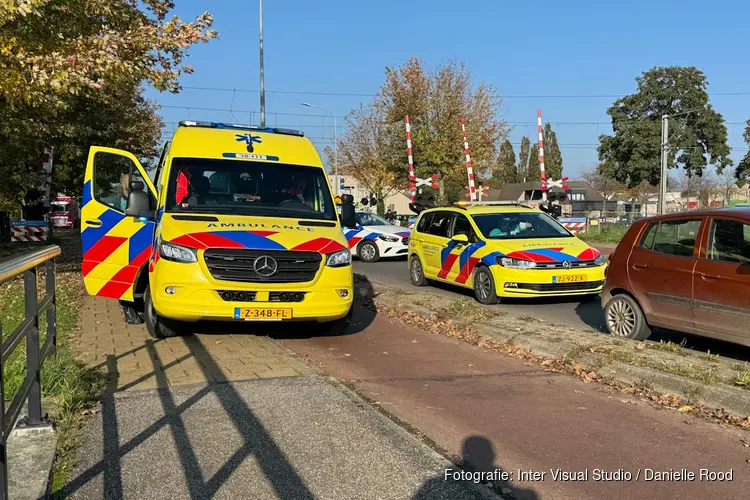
(517, 226)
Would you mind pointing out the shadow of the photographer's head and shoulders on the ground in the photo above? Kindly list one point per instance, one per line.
(478, 456)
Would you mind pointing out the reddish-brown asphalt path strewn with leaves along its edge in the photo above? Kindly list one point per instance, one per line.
(497, 412)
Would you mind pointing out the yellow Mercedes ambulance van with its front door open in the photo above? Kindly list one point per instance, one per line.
(239, 224)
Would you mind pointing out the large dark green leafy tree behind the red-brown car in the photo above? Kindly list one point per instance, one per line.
(697, 137)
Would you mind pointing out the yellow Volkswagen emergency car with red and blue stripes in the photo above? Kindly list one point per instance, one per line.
(502, 249)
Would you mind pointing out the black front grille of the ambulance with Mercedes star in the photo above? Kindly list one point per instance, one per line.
(239, 265)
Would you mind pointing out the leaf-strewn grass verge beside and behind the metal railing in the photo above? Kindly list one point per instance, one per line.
(68, 386)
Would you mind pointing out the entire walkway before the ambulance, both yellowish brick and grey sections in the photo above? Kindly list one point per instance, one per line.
(182, 420)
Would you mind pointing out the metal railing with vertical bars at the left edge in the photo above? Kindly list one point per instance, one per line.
(30, 389)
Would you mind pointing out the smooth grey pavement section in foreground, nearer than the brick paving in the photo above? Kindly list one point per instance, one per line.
(286, 438)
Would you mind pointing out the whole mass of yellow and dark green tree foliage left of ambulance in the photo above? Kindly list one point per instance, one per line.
(71, 77)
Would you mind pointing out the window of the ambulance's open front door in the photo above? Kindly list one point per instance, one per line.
(112, 174)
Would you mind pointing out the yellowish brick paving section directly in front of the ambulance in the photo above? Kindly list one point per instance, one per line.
(137, 361)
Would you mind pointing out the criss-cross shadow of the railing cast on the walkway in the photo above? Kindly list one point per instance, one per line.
(257, 442)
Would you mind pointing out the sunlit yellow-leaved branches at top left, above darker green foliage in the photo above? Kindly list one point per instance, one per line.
(49, 50)
